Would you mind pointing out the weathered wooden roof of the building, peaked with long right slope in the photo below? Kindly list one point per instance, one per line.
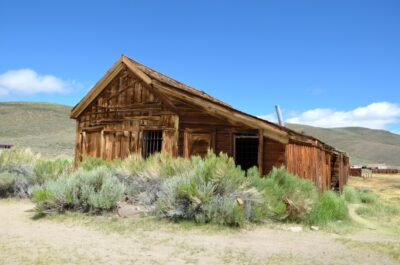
(162, 84)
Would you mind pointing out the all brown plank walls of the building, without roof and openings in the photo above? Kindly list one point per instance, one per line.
(112, 127)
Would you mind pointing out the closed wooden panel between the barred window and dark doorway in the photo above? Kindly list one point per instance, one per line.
(198, 143)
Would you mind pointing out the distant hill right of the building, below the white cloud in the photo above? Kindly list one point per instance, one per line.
(362, 144)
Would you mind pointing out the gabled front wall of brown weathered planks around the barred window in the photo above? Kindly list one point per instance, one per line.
(112, 126)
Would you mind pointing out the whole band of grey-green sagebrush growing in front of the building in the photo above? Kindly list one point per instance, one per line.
(205, 190)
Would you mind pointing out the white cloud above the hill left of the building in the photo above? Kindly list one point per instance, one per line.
(27, 81)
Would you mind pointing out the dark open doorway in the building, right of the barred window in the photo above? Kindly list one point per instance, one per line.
(246, 151)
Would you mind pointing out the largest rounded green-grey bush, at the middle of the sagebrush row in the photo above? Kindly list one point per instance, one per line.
(214, 190)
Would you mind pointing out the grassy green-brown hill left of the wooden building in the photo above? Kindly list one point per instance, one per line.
(44, 127)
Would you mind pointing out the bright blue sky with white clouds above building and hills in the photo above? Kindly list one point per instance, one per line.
(327, 63)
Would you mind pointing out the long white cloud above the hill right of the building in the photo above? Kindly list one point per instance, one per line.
(376, 116)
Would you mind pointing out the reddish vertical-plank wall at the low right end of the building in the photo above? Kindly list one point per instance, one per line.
(310, 163)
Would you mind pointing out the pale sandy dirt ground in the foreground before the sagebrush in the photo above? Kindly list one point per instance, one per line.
(26, 241)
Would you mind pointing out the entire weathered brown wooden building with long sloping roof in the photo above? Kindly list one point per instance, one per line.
(136, 109)
